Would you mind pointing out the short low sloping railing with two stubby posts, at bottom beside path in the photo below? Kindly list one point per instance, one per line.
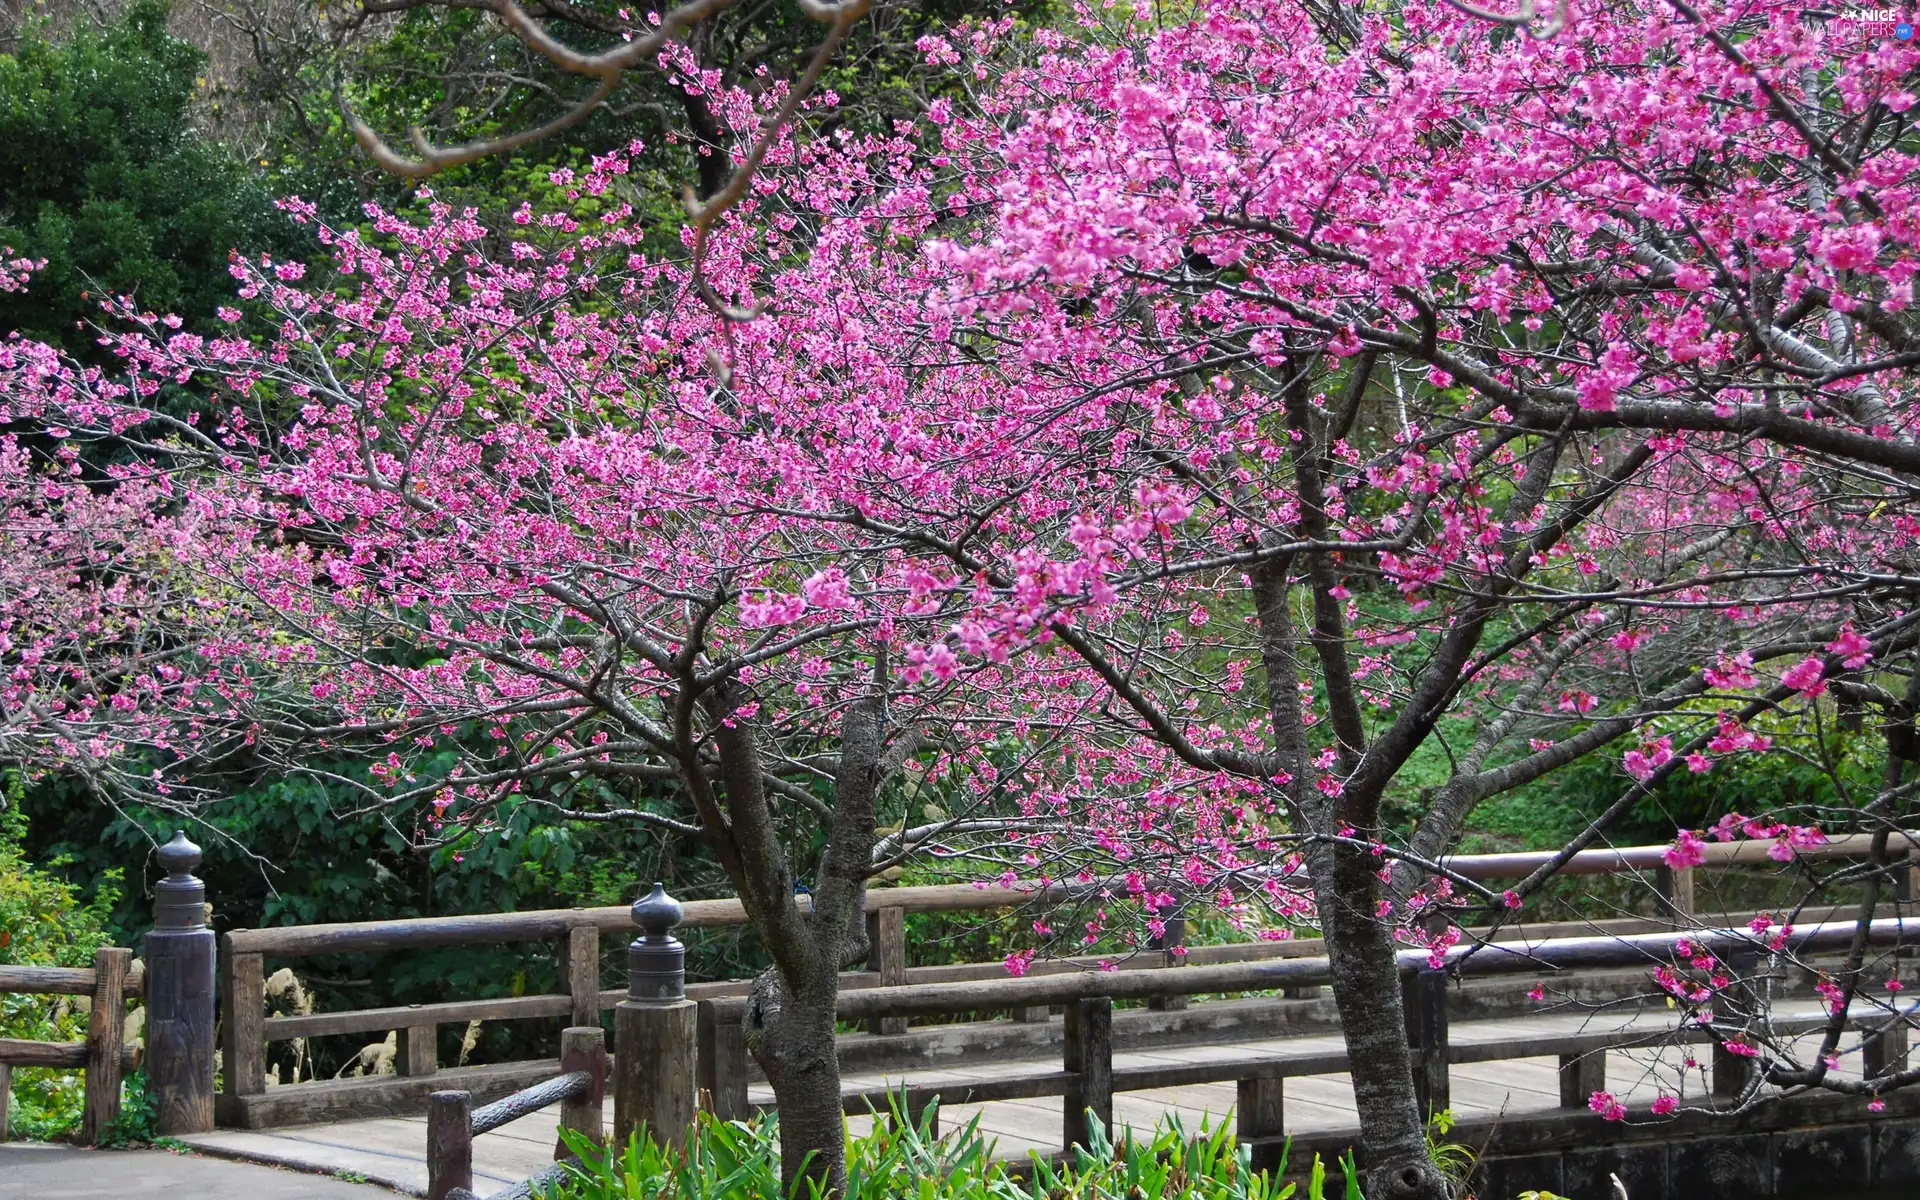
(454, 1124)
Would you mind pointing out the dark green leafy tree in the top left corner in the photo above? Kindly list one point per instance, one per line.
(105, 178)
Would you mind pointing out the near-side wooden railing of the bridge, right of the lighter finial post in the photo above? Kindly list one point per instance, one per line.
(1088, 1078)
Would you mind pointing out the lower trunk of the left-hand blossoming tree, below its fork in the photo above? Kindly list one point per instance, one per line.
(792, 1038)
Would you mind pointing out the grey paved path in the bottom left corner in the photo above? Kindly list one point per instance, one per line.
(37, 1172)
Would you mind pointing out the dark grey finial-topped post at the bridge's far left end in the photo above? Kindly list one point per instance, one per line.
(180, 996)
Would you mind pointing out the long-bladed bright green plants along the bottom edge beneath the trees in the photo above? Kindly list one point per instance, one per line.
(905, 1161)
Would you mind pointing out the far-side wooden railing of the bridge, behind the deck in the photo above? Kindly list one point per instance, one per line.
(577, 938)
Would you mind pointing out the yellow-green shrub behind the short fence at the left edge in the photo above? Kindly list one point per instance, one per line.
(45, 923)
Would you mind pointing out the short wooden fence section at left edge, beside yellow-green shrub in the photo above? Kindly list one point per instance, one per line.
(105, 1057)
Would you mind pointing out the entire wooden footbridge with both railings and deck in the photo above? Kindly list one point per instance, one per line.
(1228, 1032)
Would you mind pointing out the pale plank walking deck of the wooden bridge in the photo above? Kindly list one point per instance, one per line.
(391, 1151)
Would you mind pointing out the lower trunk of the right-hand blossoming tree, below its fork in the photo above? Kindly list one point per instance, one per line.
(1366, 988)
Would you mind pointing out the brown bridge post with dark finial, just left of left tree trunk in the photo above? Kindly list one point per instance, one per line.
(656, 1030)
